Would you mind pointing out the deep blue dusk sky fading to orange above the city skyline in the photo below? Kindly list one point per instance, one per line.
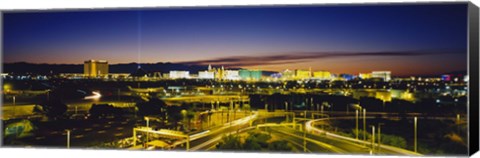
(405, 39)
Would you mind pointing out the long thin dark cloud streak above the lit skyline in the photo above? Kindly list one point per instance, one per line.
(295, 57)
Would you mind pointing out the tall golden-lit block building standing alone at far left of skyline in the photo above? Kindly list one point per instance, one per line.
(95, 68)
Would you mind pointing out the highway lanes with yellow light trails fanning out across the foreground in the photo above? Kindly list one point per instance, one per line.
(317, 141)
